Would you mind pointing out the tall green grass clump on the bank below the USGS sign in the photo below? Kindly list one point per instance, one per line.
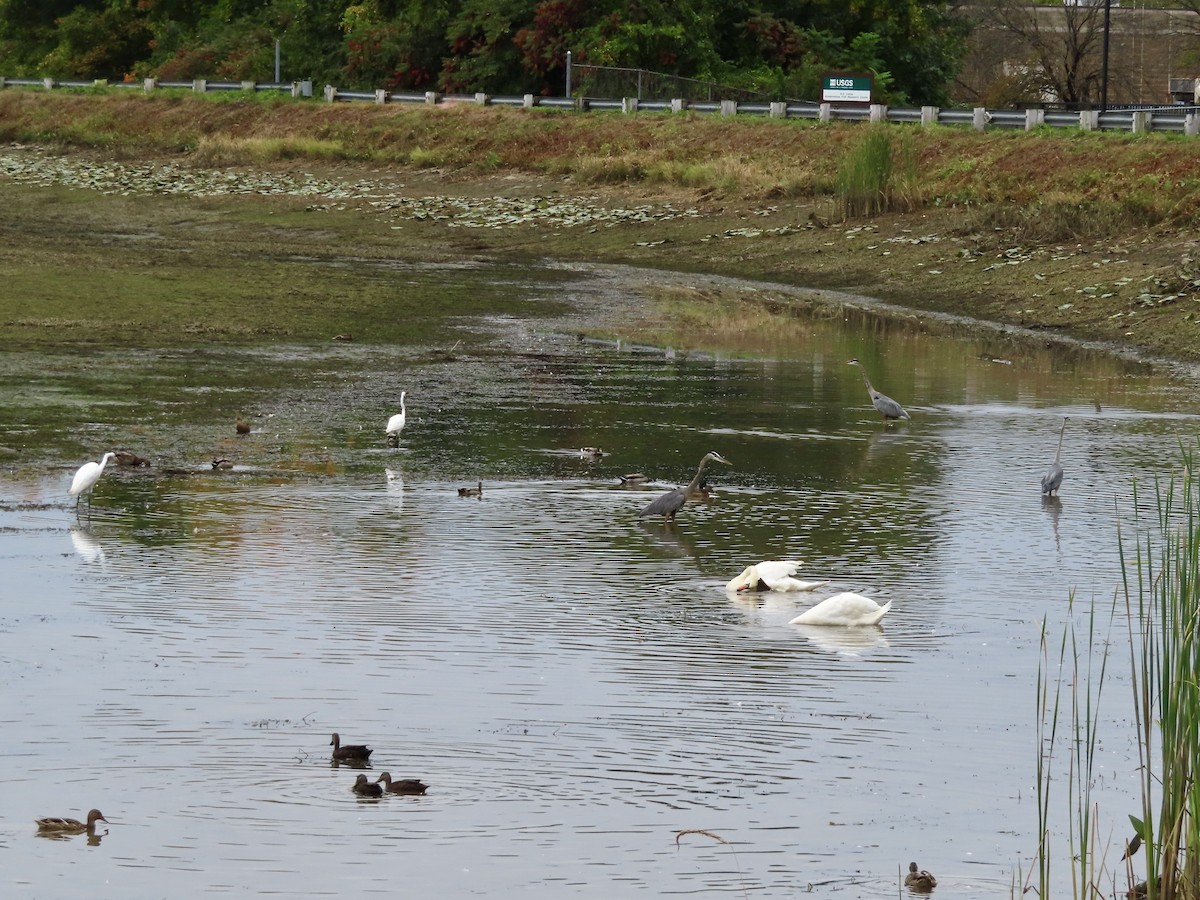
(879, 175)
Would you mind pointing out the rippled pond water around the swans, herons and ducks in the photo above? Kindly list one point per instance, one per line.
(572, 681)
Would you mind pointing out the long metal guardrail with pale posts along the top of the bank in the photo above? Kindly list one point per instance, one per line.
(1180, 121)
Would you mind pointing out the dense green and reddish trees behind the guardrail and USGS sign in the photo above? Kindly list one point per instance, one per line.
(915, 49)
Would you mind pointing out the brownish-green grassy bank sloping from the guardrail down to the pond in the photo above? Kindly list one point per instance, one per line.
(1069, 233)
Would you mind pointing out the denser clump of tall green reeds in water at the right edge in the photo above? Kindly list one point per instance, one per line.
(1163, 602)
